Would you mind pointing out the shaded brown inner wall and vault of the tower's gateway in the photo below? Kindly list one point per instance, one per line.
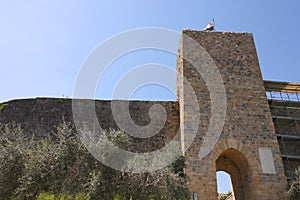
(236, 165)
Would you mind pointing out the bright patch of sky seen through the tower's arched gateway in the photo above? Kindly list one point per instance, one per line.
(224, 182)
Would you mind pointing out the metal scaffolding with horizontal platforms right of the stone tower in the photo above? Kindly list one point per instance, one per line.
(284, 101)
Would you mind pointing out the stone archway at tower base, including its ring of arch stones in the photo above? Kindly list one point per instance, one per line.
(239, 162)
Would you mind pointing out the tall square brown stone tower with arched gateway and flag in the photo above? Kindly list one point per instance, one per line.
(226, 124)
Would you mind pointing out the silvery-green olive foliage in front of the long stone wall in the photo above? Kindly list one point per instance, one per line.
(60, 167)
